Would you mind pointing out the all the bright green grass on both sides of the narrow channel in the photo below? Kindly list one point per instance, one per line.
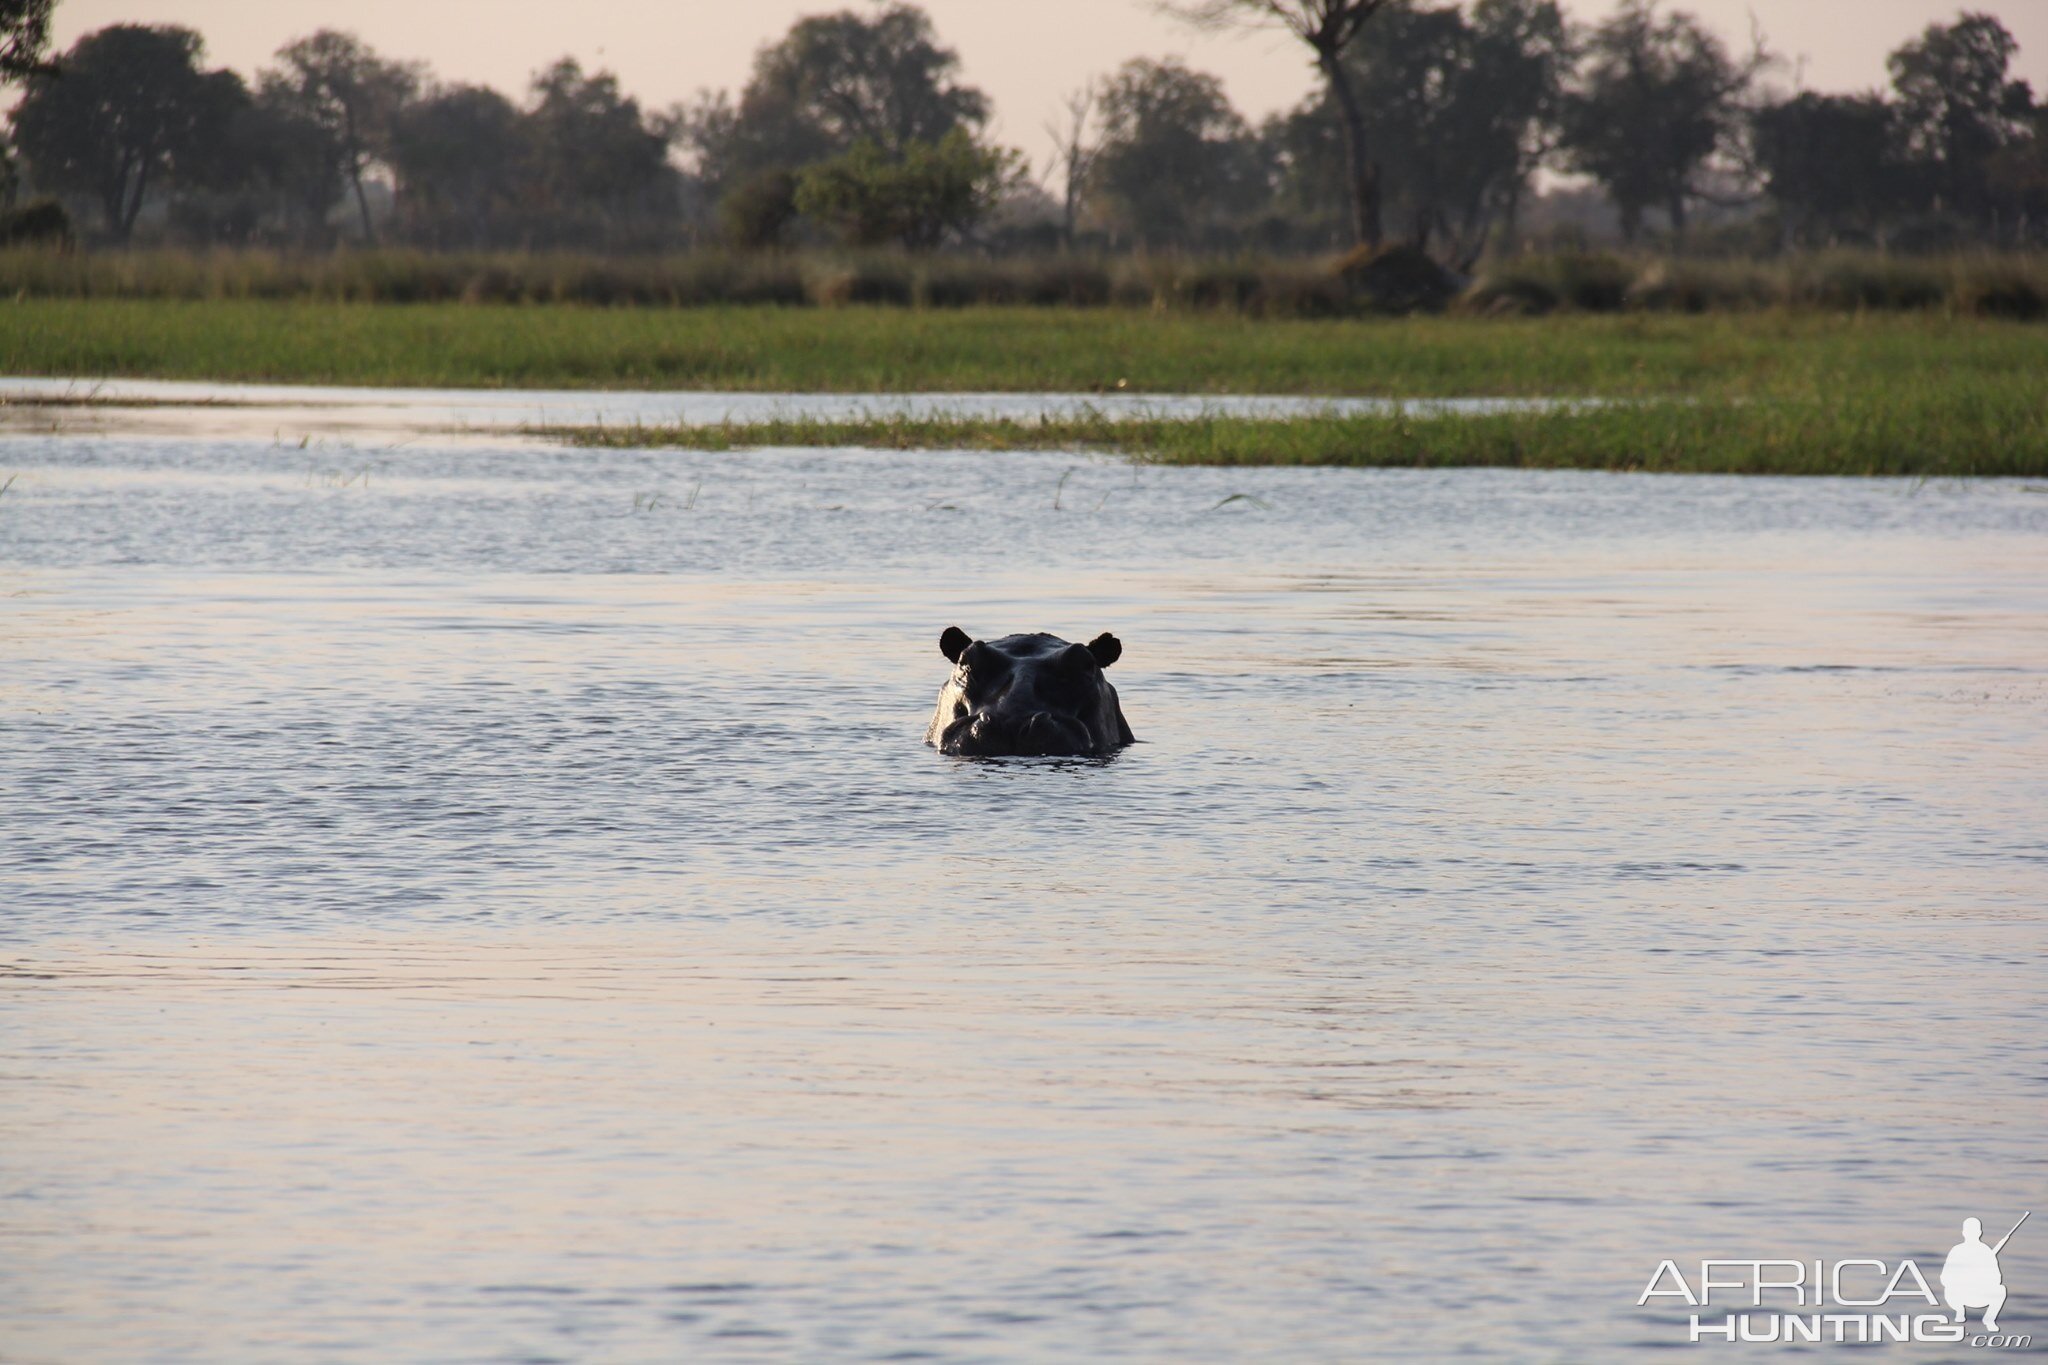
(1773, 392)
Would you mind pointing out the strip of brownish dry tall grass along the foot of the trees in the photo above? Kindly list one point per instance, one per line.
(1988, 285)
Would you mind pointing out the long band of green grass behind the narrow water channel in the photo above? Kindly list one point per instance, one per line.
(896, 351)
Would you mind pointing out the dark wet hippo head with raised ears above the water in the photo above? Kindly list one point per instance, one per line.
(1027, 697)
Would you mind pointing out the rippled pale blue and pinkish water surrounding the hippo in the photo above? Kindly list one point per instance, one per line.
(482, 901)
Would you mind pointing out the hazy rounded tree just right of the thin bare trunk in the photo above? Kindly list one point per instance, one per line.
(1175, 155)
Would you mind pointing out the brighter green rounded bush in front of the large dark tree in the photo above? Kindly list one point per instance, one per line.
(914, 197)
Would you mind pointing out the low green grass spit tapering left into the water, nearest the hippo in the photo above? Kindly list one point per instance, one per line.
(1969, 431)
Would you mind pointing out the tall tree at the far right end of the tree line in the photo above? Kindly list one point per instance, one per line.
(1959, 109)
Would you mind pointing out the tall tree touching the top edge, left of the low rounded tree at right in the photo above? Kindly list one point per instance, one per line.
(1658, 99)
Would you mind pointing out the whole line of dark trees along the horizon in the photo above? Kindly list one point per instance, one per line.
(1426, 124)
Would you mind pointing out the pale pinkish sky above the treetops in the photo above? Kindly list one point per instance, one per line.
(1023, 54)
